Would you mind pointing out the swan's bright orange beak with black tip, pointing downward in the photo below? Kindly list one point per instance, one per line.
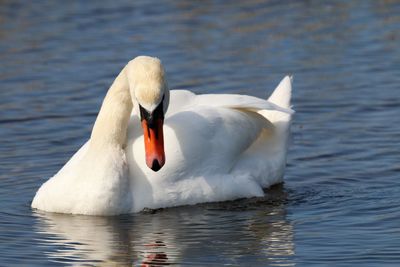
(154, 144)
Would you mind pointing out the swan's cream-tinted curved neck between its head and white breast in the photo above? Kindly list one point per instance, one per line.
(112, 121)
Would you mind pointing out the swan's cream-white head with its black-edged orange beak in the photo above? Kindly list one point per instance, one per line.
(150, 97)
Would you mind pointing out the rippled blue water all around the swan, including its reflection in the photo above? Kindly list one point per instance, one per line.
(339, 204)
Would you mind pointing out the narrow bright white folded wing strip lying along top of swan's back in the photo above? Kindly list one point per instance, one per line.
(239, 102)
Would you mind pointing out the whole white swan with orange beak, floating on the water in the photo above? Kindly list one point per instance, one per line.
(206, 148)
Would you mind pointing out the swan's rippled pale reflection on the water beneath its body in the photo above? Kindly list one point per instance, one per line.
(243, 231)
